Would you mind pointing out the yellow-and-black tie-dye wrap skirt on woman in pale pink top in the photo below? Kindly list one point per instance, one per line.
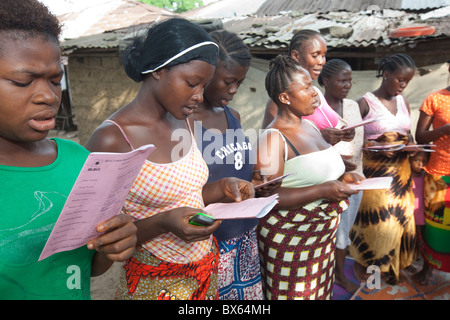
(384, 230)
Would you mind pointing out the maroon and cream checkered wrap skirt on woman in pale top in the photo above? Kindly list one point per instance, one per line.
(297, 251)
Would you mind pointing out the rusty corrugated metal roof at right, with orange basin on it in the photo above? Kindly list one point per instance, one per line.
(340, 29)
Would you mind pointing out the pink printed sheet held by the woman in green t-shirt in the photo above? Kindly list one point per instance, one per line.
(97, 195)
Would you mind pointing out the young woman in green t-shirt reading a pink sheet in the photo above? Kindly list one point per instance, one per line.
(37, 173)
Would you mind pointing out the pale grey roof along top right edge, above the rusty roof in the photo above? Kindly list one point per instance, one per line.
(274, 7)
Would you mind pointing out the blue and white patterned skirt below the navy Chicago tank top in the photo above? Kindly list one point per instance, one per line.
(239, 269)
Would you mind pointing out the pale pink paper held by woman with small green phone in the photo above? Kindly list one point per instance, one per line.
(250, 208)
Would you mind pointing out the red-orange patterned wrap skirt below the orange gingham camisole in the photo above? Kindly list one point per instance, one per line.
(145, 277)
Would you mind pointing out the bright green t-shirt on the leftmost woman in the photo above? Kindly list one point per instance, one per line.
(31, 201)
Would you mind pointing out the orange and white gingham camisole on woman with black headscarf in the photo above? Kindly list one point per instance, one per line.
(162, 187)
